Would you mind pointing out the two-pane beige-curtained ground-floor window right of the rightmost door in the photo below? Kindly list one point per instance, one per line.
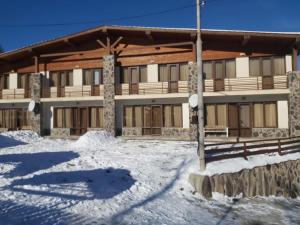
(265, 115)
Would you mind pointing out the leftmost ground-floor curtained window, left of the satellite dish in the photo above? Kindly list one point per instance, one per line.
(14, 119)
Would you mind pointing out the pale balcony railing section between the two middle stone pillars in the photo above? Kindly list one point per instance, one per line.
(152, 88)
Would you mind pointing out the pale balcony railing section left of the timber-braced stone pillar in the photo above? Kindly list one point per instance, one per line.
(73, 91)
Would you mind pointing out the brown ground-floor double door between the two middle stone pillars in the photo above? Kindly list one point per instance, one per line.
(152, 120)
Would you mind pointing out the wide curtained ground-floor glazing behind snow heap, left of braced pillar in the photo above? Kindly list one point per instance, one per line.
(78, 118)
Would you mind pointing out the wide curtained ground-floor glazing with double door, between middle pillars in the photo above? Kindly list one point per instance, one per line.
(153, 116)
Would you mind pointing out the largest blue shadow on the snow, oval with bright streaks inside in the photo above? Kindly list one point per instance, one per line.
(77, 185)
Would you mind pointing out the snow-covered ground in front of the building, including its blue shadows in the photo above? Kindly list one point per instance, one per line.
(102, 180)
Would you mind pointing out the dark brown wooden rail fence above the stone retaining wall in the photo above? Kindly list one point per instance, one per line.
(283, 146)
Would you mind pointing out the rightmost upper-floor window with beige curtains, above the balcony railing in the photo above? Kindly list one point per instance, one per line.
(267, 66)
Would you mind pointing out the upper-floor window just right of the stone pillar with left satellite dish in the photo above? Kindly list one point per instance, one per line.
(61, 78)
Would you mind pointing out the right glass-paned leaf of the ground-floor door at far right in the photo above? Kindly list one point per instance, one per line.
(245, 120)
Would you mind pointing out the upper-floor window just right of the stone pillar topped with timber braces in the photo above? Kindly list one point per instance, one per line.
(134, 74)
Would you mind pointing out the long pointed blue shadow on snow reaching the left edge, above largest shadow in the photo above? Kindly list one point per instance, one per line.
(27, 163)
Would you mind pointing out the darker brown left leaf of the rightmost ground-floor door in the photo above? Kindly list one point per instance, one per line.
(233, 120)
